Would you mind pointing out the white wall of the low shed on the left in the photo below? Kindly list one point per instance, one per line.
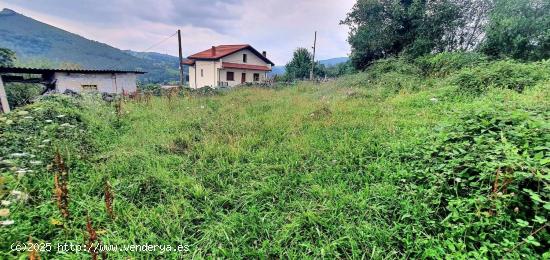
(110, 83)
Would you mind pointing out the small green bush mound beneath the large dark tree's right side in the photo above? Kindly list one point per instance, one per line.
(443, 64)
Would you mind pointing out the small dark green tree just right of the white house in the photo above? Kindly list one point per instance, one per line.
(300, 65)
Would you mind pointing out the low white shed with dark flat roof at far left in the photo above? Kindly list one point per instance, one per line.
(77, 80)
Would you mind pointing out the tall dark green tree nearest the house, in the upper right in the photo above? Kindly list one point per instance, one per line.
(382, 28)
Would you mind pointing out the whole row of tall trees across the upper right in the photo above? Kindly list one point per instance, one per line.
(412, 28)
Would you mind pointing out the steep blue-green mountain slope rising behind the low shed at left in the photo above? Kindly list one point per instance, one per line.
(39, 43)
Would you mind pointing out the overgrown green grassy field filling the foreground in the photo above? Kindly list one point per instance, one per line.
(307, 170)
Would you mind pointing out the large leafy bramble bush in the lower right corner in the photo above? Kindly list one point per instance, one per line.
(489, 181)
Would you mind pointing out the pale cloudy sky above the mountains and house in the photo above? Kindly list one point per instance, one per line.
(276, 26)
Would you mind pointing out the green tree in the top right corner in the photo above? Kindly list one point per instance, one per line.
(519, 29)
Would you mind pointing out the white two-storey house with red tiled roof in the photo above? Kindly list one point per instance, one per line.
(227, 65)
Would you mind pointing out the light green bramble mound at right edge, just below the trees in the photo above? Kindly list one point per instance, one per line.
(505, 74)
